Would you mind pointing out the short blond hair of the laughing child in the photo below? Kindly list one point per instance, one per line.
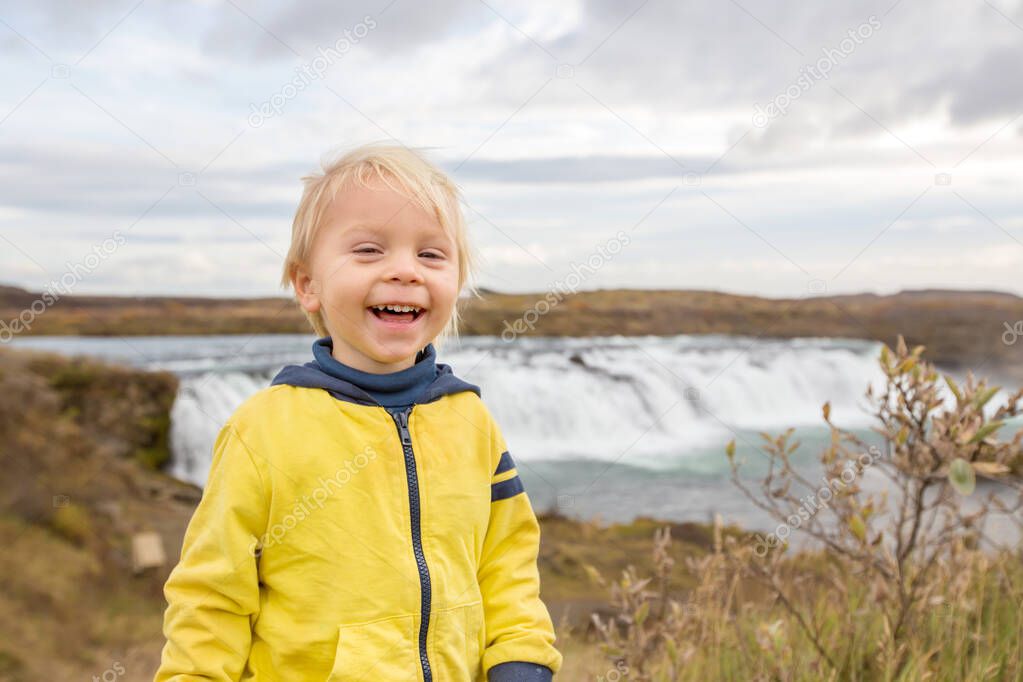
(418, 179)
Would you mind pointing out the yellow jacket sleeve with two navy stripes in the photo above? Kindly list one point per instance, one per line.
(520, 633)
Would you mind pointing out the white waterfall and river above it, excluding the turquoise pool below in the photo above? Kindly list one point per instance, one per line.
(651, 402)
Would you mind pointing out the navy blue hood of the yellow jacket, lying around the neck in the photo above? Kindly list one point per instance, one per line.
(313, 376)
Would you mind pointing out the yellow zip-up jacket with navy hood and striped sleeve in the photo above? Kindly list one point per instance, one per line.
(341, 540)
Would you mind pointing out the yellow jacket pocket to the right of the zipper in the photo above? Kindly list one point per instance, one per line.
(459, 638)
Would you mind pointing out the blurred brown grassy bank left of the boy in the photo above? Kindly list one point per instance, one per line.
(73, 436)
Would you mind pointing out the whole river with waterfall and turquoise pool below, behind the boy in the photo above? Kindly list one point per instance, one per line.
(611, 427)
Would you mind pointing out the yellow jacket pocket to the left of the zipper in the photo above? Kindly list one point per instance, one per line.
(383, 650)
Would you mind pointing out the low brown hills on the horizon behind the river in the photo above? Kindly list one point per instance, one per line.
(961, 329)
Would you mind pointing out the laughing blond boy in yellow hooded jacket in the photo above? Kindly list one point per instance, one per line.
(364, 519)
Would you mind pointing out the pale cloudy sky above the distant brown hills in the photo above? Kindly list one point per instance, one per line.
(771, 149)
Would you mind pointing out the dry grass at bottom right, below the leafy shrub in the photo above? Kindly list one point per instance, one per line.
(727, 630)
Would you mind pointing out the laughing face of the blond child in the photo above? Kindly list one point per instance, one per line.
(376, 247)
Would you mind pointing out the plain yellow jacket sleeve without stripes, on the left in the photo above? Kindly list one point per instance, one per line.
(213, 593)
